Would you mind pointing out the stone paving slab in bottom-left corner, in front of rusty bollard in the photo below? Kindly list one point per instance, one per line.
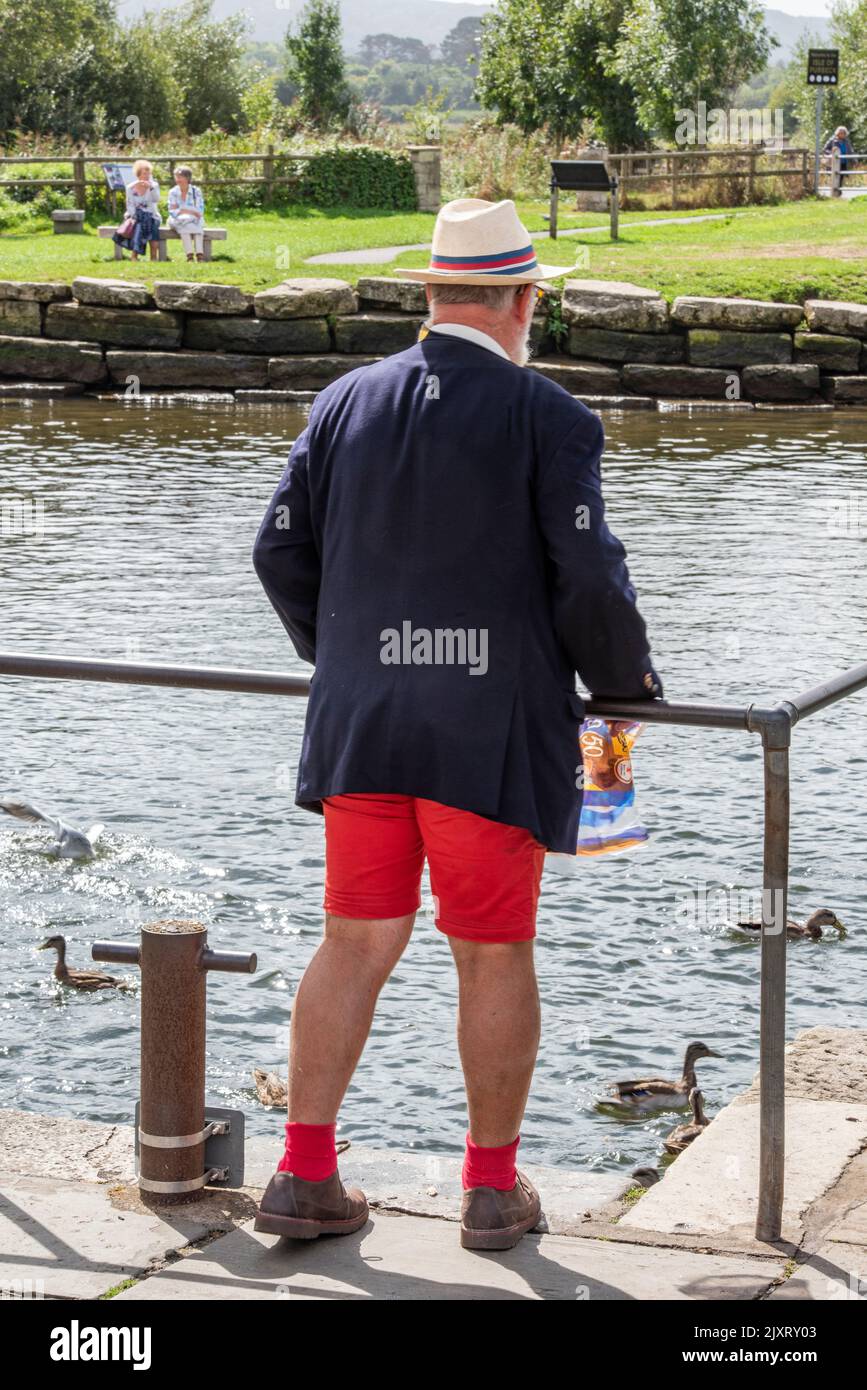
(79, 1242)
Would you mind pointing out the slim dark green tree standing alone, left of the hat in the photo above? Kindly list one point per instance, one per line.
(316, 65)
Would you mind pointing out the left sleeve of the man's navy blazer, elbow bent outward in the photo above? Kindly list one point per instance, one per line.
(287, 558)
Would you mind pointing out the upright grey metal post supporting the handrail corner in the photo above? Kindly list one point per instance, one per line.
(776, 729)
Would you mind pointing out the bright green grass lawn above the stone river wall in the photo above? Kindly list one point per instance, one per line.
(791, 252)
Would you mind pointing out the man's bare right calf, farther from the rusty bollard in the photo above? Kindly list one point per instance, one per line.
(498, 1033)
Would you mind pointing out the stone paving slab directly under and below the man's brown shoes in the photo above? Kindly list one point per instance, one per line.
(398, 1257)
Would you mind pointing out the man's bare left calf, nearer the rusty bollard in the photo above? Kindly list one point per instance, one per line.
(334, 1010)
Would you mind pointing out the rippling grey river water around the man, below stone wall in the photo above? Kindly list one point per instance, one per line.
(133, 541)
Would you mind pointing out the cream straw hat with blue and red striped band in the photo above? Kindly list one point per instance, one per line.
(483, 244)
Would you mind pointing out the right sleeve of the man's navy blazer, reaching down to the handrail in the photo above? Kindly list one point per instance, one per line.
(595, 610)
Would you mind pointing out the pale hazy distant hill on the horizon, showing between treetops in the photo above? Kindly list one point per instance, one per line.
(426, 20)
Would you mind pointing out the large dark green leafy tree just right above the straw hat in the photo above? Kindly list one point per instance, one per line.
(548, 63)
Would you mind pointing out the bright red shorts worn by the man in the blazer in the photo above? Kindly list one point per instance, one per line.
(484, 876)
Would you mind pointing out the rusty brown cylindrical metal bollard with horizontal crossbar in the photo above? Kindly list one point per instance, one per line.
(172, 1127)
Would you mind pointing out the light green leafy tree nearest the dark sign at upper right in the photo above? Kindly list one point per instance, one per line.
(677, 54)
